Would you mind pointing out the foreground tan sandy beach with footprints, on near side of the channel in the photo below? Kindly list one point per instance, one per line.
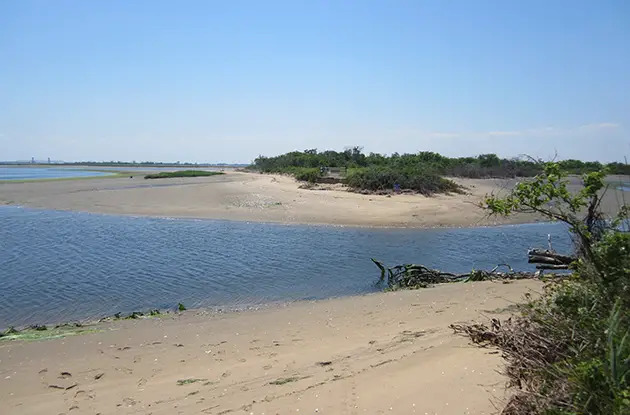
(373, 354)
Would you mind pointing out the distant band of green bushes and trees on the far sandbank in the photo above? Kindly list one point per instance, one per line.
(424, 172)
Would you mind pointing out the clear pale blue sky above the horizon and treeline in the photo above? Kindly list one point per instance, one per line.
(226, 81)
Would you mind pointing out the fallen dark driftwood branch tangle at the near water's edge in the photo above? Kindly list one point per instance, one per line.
(417, 276)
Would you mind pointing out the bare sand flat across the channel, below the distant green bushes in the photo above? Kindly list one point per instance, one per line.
(256, 197)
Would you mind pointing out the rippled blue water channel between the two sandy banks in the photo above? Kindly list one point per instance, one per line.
(63, 266)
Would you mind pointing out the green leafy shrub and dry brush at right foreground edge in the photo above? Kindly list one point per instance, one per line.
(568, 352)
